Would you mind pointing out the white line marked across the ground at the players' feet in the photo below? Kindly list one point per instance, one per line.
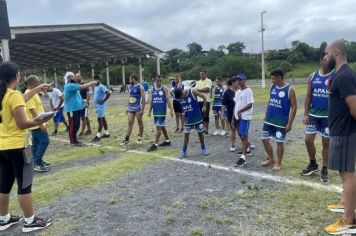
(254, 174)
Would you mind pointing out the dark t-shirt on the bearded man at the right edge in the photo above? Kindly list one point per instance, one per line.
(341, 123)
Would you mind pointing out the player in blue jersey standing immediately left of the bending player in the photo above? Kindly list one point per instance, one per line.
(159, 101)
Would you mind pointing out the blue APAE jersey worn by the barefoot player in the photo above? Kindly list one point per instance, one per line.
(278, 106)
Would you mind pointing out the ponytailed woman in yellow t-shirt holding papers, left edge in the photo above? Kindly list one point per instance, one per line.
(14, 163)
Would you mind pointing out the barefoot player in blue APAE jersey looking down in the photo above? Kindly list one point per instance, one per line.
(280, 114)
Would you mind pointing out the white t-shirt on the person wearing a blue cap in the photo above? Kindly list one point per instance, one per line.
(243, 98)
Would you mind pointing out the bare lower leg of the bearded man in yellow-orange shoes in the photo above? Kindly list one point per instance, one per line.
(349, 184)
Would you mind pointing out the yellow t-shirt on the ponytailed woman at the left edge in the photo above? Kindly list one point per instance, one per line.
(11, 136)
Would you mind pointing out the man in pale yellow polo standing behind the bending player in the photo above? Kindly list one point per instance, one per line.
(204, 86)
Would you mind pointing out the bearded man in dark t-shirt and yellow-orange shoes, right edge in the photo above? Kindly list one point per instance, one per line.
(342, 125)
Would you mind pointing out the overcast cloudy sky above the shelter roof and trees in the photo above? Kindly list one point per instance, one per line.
(169, 24)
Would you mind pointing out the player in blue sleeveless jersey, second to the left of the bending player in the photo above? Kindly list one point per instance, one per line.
(135, 108)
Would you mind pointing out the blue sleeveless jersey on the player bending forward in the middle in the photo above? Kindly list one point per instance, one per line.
(191, 109)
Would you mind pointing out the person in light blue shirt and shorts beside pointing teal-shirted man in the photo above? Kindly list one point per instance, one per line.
(101, 95)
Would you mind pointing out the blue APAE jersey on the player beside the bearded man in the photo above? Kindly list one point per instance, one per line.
(320, 95)
